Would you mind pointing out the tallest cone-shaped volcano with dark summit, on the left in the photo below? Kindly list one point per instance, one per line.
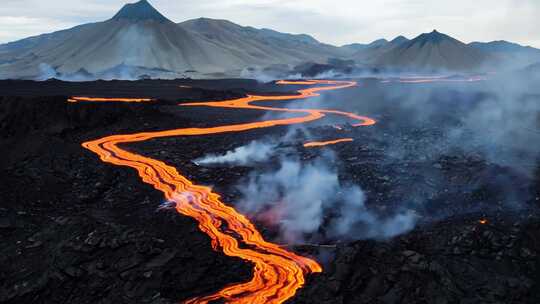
(137, 36)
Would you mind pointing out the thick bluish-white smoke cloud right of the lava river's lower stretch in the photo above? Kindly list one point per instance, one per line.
(297, 198)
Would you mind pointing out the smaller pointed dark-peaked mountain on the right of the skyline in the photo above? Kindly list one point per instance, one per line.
(434, 51)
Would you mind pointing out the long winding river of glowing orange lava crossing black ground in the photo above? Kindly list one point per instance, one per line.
(278, 273)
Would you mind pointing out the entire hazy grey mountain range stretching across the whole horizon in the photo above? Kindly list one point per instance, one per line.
(138, 41)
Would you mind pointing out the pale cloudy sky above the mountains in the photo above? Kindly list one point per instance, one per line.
(336, 22)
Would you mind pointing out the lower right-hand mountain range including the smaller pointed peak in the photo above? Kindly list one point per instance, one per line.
(437, 51)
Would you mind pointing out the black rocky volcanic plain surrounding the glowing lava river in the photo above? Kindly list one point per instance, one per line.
(76, 230)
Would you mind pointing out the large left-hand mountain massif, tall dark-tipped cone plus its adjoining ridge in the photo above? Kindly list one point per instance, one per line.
(139, 38)
